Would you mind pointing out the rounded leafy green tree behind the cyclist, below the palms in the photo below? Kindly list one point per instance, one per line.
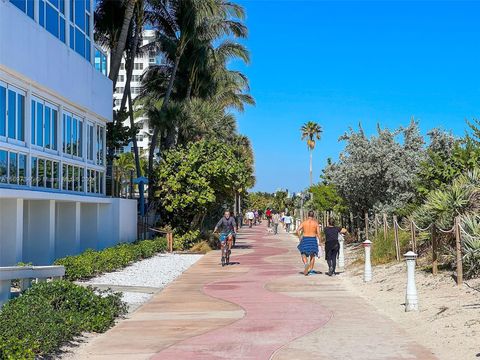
(198, 179)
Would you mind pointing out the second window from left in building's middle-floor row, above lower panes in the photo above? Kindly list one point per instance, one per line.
(44, 124)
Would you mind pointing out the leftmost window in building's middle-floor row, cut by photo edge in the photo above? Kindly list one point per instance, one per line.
(12, 113)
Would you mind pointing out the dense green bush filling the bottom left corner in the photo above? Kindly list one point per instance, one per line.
(50, 314)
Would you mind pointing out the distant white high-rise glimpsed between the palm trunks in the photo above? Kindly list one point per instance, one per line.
(141, 65)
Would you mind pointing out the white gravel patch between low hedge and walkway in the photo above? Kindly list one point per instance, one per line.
(156, 273)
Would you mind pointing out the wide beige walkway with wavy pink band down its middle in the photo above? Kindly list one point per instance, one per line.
(260, 307)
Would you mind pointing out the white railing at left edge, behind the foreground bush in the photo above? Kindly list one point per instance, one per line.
(26, 275)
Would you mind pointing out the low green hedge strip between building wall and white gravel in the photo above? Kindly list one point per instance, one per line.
(92, 263)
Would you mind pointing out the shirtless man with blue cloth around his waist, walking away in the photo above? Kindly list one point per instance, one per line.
(309, 230)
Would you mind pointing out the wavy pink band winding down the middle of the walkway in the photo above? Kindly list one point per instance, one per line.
(271, 320)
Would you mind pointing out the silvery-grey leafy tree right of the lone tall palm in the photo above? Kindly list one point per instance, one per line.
(378, 172)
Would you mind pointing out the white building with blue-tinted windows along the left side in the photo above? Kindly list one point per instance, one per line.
(55, 101)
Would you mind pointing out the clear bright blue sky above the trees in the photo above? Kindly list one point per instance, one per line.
(340, 63)
